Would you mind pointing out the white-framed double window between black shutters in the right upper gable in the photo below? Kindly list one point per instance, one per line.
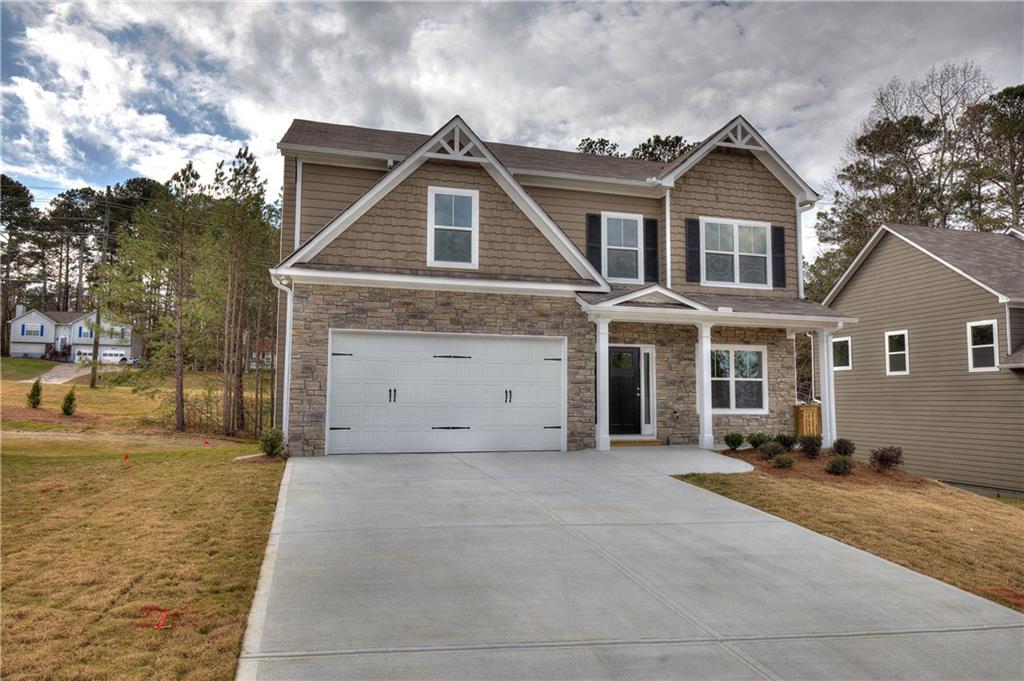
(736, 253)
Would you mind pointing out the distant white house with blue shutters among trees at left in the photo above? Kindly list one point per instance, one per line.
(67, 337)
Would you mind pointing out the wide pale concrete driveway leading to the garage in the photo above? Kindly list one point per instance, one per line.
(587, 566)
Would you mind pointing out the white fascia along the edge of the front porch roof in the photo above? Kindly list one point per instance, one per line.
(627, 314)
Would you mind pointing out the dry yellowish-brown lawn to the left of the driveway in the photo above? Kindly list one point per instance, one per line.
(95, 548)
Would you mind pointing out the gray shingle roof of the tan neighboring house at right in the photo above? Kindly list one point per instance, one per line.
(995, 260)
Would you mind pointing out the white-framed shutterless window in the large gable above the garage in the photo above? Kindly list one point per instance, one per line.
(453, 228)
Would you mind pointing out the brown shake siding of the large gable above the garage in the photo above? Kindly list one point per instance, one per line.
(393, 235)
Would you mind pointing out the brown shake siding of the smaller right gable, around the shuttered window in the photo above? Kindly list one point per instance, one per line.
(731, 184)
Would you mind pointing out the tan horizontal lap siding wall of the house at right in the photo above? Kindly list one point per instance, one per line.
(954, 425)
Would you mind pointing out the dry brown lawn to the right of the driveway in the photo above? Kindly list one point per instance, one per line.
(971, 542)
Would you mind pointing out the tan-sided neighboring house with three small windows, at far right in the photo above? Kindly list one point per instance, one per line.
(935, 363)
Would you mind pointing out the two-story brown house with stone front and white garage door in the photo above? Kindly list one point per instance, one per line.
(441, 293)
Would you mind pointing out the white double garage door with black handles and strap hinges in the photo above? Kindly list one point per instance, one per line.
(440, 393)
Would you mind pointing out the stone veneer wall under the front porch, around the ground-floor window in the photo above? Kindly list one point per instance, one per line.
(675, 352)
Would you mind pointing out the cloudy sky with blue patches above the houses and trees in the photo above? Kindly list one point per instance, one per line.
(94, 94)
